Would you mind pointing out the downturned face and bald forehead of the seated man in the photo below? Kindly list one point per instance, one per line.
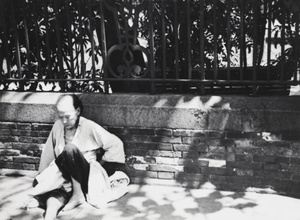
(67, 113)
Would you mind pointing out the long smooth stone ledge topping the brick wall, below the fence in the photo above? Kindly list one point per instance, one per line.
(218, 113)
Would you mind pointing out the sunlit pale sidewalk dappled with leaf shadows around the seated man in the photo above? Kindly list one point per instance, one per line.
(158, 202)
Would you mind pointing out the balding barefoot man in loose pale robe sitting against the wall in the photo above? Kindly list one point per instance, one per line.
(71, 171)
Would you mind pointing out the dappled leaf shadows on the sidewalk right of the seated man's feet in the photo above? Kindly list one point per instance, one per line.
(168, 203)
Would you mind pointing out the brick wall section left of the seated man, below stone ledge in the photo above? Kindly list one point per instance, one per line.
(21, 144)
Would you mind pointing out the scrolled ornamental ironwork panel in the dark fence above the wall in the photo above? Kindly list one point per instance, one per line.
(127, 58)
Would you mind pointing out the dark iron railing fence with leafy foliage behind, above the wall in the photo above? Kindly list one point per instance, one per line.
(179, 46)
